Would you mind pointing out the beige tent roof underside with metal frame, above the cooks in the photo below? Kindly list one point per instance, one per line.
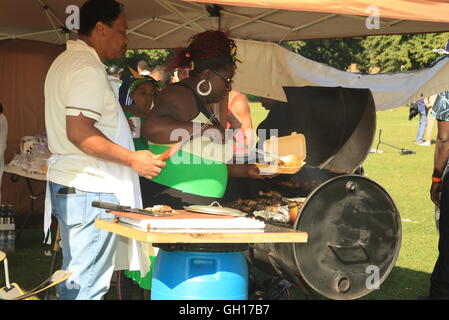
(169, 23)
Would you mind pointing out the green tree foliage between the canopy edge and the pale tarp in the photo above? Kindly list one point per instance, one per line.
(392, 53)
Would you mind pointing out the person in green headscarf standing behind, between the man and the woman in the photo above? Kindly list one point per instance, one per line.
(137, 98)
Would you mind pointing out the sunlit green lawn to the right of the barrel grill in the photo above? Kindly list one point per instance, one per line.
(407, 179)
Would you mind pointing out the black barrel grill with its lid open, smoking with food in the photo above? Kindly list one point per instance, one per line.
(353, 225)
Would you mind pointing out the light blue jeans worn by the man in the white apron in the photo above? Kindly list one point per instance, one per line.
(88, 252)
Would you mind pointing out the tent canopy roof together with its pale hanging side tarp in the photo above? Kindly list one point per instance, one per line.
(169, 23)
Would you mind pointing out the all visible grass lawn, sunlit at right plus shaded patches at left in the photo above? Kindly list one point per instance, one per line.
(405, 177)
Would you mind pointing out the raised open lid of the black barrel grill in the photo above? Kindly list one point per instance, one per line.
(339, 124)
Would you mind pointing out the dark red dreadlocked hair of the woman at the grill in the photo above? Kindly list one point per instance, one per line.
(206, 45)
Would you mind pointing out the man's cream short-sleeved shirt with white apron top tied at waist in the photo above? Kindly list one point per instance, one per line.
(77, 83)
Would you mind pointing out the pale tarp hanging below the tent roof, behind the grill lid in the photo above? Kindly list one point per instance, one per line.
(274, 67)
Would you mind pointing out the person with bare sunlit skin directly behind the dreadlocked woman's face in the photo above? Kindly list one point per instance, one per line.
(239, 119)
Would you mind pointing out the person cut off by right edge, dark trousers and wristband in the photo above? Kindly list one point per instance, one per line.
(439, 194)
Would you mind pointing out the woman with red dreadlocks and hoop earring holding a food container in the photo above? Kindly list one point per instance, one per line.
(194, 175)
